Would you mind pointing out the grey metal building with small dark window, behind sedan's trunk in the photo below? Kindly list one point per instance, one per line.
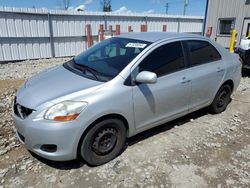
(225, 15)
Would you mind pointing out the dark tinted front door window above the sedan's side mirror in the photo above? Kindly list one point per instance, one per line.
(165, 59)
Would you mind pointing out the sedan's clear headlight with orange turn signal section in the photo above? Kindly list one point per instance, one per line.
(65, 111)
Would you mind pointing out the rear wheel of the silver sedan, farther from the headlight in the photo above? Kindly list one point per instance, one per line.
(221, 100)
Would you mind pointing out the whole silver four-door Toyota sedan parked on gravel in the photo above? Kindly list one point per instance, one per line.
(120, 87)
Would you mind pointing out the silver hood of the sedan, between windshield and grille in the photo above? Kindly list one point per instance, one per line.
(51, 84)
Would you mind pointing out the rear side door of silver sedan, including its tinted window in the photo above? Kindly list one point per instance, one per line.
(206, 72)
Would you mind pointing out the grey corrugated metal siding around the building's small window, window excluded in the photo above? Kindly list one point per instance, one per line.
(220, 9)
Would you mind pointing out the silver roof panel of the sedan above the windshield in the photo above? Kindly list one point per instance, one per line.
(155, 36)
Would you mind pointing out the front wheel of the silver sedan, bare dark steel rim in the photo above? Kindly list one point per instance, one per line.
(103, 142)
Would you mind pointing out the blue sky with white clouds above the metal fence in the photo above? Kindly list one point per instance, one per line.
(176, 7)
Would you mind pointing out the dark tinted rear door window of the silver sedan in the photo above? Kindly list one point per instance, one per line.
(202, 52)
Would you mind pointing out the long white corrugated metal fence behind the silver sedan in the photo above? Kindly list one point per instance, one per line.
(27, 33)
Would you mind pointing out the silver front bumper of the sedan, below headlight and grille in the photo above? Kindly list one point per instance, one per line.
(35, 134)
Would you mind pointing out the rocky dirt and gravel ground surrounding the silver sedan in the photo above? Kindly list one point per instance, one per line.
(198, 150)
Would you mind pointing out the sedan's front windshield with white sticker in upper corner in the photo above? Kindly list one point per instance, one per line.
(107, 59)
